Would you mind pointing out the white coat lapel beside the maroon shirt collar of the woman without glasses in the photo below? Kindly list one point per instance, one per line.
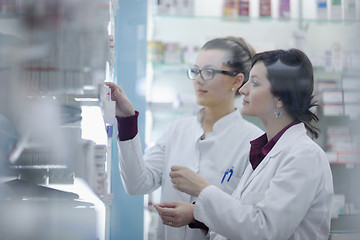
(288, 138)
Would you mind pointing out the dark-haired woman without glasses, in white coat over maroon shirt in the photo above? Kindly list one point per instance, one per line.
(286, 191)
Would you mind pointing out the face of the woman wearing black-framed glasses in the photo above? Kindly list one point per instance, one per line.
(219, 89)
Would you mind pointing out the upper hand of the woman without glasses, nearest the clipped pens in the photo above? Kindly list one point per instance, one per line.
(187, 181)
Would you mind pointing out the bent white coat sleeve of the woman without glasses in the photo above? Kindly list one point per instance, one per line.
(278, 210)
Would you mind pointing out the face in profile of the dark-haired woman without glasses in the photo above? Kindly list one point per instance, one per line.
(258, 101)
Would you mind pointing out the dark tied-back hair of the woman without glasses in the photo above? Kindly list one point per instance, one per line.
(290, 73)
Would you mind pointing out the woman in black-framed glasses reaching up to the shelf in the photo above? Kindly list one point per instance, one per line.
(215, 143)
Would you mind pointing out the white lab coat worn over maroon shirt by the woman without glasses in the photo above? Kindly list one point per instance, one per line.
(288, 196)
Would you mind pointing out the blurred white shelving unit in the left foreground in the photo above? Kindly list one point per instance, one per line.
(54, 59)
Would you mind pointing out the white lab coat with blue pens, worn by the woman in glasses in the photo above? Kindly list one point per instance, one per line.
(226, 147)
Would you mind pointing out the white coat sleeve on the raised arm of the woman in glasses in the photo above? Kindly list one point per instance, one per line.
(141, 174)
